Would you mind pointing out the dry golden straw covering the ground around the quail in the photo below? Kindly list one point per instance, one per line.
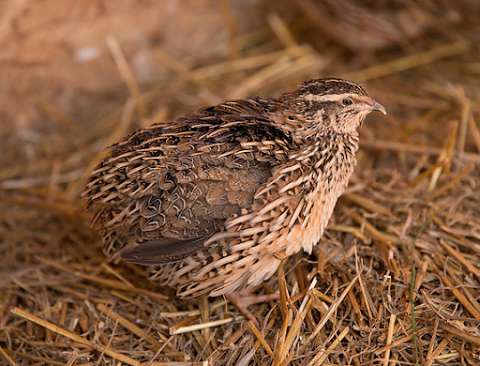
(395, 281)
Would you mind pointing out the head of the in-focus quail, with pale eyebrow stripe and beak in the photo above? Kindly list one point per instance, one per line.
(333, 104)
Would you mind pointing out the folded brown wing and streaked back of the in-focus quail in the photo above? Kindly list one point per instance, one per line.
(170, 185)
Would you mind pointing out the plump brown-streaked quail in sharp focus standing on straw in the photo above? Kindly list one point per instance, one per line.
(213, 201)
